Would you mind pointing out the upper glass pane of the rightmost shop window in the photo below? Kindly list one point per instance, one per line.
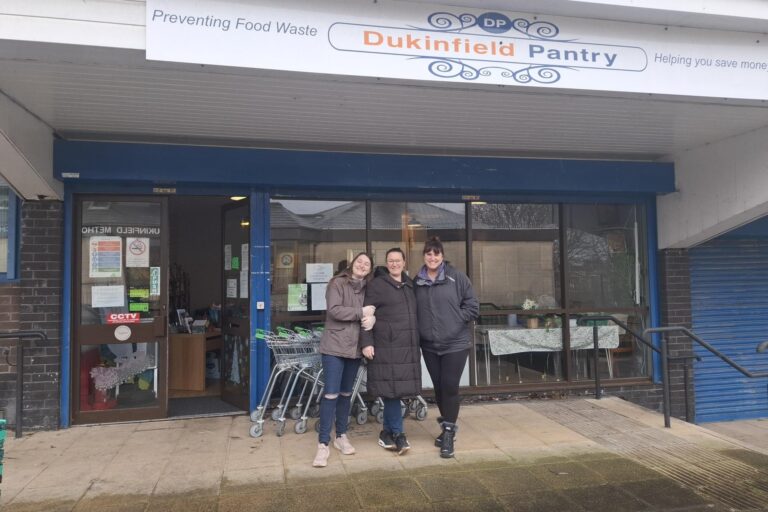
(605, 257)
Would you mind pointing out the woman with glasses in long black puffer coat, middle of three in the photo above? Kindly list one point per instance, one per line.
(392, 347)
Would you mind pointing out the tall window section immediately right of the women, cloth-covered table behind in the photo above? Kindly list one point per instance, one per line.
(515, 258)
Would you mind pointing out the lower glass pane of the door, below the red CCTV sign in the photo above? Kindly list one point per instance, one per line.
(118, 376)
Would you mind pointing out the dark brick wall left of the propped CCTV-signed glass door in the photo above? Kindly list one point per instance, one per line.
(39, 305)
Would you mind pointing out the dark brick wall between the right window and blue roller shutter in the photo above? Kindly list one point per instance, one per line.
(675, 291)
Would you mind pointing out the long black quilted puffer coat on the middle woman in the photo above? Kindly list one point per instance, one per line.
(395, 370)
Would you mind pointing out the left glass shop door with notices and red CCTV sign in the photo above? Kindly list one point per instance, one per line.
(120, 323)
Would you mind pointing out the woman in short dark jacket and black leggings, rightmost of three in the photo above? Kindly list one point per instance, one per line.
(446, 305)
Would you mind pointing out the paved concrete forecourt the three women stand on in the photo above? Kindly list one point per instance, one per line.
(553, 455)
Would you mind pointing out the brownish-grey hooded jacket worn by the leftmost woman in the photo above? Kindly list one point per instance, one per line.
(344, 299)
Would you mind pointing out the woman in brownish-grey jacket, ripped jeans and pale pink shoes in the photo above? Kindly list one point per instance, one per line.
(339, 346)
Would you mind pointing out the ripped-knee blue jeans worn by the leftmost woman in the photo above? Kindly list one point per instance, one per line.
(339, 377)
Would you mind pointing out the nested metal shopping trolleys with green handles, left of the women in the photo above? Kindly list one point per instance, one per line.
(297, 359)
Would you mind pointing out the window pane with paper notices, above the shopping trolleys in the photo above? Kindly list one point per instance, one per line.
(324, 232)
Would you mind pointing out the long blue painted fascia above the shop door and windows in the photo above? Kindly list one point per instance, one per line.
(161, 164)
